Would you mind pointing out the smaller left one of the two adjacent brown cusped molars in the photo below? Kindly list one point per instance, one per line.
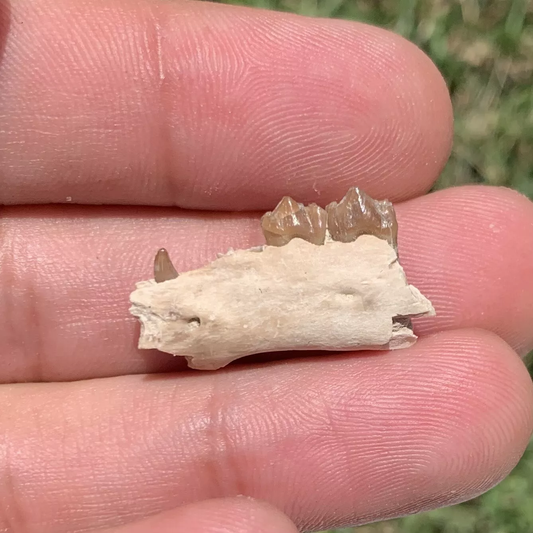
(291, 219)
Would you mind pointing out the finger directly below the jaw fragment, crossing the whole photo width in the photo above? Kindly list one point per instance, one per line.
(328, 441)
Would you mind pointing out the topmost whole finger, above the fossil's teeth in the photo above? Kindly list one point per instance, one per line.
(213, 107)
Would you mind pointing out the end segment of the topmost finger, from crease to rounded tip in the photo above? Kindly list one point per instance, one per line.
(327, 105)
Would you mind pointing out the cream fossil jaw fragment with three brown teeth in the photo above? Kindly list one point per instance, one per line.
(322, 282)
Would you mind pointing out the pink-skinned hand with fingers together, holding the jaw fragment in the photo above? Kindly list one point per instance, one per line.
(158, 105)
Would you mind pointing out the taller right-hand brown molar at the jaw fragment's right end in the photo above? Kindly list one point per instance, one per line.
(359, 214)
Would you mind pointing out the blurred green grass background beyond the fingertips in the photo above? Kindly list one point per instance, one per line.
(484, 48)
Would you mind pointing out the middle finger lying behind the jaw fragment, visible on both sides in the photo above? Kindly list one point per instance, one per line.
(66, 278)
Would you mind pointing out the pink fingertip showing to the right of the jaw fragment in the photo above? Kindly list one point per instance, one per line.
(471, 251)
